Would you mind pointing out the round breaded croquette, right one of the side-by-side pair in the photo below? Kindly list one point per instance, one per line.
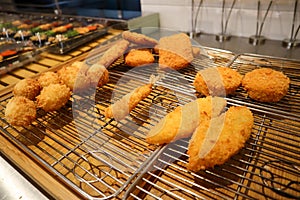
(266, 85)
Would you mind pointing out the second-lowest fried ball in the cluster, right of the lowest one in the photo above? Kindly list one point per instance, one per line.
(53, 97)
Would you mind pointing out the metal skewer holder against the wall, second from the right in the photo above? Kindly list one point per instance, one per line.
(258, 39)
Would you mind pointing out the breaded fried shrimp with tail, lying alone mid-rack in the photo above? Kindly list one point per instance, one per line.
(121, 108)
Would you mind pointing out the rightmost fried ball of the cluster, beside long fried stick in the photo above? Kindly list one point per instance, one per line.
(97, 75)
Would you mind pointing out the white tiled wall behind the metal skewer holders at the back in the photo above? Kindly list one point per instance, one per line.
(176, 14)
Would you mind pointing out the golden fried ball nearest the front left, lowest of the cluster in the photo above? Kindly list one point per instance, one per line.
(20, 111)
